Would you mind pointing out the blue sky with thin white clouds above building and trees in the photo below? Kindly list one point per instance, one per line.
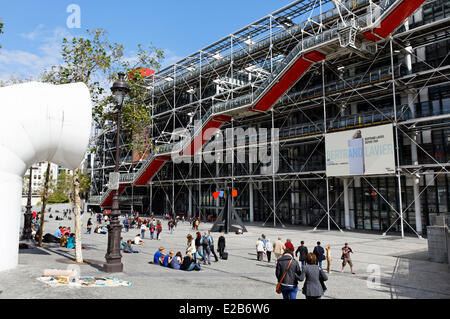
(34, 29)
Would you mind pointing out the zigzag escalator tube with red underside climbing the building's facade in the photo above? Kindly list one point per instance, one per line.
(305, 54)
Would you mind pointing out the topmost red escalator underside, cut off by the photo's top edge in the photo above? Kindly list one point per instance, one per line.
(394, 19)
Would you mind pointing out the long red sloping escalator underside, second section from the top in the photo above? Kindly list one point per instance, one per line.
(287, 80)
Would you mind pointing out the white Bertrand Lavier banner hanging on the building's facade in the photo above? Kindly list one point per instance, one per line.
(367, 151)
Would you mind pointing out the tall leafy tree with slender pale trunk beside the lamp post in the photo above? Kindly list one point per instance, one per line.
(91, 60)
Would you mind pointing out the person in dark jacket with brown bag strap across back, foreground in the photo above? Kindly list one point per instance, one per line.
(288, 273)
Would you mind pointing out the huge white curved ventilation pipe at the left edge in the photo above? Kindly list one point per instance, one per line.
(38, 122)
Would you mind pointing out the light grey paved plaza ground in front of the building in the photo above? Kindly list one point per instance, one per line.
(404, 269)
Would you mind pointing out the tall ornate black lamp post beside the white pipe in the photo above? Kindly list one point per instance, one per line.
(113, 256)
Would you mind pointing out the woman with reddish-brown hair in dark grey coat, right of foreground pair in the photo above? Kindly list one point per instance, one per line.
(314, 277)
